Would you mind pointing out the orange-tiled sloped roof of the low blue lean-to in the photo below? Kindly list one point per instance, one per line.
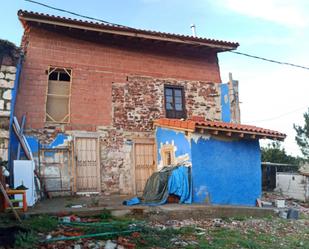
(221, 128)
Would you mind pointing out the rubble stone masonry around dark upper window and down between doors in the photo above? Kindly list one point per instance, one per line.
(136, 104)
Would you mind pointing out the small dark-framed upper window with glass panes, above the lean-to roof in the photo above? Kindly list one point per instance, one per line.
(174, 102)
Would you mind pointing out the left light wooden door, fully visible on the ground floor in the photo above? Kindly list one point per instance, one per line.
(87, 164)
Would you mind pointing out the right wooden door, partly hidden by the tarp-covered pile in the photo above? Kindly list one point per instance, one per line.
(144, 163)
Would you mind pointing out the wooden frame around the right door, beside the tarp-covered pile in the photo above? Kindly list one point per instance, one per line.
(142, 140)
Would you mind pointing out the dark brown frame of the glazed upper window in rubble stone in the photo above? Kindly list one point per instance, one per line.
(174, 111)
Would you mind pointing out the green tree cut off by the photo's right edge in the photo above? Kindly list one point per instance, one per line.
(302, 135)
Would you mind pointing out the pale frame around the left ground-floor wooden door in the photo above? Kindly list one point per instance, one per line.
(81, 135)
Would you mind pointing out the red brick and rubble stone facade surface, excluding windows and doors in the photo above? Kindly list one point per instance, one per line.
(117, 90)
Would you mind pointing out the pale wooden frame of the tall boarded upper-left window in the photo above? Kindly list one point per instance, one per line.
(69, 71)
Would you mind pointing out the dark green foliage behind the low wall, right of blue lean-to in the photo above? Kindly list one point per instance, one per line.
(274, 153)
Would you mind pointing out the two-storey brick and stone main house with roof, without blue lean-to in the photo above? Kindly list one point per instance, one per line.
(91, 91)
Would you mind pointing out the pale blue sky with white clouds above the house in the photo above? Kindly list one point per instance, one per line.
(272, 96)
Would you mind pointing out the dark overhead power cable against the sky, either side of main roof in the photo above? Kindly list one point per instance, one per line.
(123, 26)
